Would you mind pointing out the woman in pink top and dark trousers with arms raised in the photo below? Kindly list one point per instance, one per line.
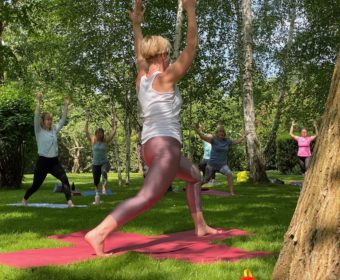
(304, 142)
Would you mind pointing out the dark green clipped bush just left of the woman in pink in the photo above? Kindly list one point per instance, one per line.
(286, 154)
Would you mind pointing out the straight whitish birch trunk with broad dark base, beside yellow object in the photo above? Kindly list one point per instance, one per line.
(255, 159)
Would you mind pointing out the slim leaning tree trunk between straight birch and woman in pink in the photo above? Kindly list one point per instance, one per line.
(270, 146)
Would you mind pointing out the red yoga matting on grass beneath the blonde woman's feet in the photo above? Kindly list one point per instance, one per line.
(181, 245)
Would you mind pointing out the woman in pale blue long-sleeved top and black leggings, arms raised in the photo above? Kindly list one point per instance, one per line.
(48, 162)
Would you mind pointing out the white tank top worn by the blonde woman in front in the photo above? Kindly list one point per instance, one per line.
(160, 110)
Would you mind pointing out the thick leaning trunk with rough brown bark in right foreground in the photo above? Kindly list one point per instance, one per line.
(311, 244)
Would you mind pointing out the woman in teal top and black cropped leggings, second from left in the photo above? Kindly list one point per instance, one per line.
(100, 162)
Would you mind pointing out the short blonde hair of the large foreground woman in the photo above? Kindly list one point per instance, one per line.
(155, 45)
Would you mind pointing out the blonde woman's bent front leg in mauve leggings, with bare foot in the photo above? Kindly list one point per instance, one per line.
(190, 173)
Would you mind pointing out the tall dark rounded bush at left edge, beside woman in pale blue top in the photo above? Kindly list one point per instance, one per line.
(16, 130)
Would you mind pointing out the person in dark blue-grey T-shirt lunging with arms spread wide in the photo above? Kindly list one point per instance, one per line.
(219, 157)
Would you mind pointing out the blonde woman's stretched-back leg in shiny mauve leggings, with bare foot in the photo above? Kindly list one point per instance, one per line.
(162, 154)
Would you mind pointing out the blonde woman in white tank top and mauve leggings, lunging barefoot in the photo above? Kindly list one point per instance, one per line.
(160, 102)
